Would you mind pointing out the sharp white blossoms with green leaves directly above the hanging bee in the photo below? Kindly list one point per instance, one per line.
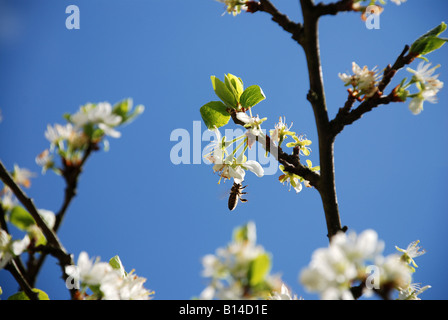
(230, 161)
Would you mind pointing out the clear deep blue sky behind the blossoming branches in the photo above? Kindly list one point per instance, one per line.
(161, 218)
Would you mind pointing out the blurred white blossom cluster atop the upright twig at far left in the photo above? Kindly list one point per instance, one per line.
(85, 129)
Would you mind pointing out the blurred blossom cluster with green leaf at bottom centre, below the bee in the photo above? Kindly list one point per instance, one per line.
(241, 271)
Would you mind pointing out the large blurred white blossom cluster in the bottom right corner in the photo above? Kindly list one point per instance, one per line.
(350, 259)
